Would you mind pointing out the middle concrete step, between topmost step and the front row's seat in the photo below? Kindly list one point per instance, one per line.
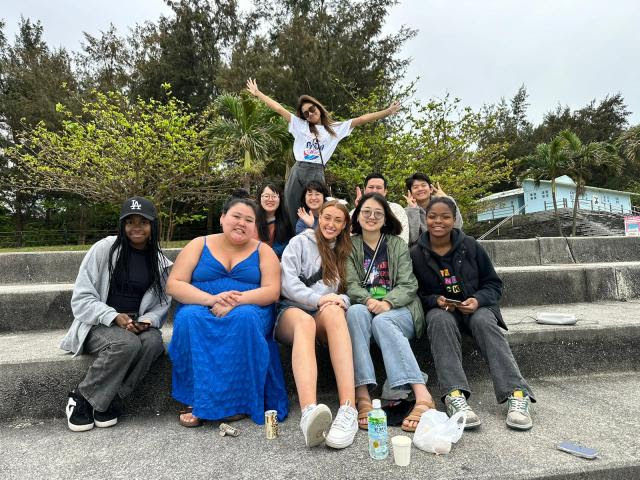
(43, 306)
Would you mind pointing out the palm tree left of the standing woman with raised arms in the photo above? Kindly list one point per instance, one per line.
(246, 130)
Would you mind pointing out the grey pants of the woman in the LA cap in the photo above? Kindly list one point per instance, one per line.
(123, 360)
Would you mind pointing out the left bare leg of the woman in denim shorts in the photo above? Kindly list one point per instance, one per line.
(298, 328)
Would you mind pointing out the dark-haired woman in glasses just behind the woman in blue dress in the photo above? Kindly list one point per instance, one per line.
(272, 220)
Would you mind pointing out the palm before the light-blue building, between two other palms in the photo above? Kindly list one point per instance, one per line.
(582, 159)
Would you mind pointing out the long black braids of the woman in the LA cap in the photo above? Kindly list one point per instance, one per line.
(156, 261)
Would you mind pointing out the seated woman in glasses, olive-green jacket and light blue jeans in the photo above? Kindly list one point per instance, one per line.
(382, 289)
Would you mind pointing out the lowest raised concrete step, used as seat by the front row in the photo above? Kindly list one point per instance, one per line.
(35, 375)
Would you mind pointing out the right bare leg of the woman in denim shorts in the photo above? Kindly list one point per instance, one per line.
(332, 329)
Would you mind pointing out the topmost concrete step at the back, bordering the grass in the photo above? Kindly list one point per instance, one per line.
(62, 267)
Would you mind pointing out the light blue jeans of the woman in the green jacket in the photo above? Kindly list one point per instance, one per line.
(392, 331)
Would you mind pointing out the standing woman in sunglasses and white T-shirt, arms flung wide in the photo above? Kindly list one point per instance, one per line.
(315, 137)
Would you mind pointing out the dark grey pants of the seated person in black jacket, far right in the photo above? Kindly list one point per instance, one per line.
(444, 331)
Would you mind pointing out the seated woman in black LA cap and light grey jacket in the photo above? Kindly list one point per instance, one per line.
(119, 304)
